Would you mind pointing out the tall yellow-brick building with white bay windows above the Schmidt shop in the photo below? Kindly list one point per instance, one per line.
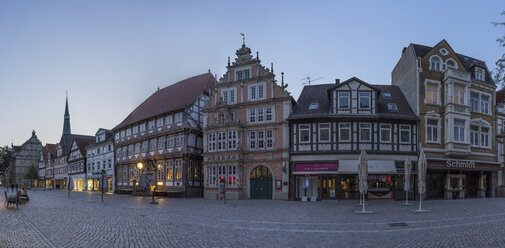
(453, 96)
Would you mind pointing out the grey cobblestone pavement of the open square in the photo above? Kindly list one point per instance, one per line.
(52, 219)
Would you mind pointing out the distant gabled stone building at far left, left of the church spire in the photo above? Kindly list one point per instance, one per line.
(24, 156)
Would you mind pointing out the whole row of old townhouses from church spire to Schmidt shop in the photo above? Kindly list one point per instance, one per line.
(247, 132)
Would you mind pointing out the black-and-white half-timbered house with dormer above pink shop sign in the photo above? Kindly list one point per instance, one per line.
(332, 123)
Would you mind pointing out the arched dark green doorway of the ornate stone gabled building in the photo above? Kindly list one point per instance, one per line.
(261, 183)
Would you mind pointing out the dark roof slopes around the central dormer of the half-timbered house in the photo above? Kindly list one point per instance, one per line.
(320, 94)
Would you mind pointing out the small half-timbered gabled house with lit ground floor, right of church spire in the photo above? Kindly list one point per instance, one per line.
(77, 162)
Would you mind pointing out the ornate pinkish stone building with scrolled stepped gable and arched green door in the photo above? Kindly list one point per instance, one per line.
(246, 134)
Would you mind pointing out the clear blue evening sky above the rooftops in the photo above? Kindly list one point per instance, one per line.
(111, 55)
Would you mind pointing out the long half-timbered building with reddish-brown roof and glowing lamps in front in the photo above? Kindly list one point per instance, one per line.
(164, 133)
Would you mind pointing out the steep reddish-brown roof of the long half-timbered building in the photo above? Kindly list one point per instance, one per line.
(174, 97)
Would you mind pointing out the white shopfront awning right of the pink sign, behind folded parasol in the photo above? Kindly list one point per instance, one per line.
(374, 167)
